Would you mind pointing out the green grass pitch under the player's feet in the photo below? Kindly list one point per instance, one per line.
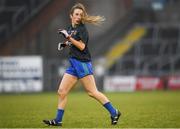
(150, 109)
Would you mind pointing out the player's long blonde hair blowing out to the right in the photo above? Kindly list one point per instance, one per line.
(95, 20)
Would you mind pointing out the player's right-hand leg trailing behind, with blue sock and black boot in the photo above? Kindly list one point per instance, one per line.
(90, 86)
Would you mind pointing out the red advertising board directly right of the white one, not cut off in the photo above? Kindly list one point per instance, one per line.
(149, 83)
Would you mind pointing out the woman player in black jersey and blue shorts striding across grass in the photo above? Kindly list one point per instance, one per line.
(80, 64)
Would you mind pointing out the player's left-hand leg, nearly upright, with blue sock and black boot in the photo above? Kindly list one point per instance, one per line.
(68, 81)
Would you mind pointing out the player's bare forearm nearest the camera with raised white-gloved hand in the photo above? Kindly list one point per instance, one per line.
(79, 44)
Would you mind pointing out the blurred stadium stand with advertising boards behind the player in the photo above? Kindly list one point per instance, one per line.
(136, 48)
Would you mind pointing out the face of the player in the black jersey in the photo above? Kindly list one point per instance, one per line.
(76, 16)
